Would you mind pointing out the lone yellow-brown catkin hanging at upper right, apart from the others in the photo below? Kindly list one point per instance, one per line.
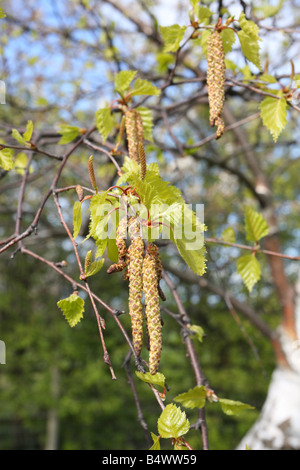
(216, 80)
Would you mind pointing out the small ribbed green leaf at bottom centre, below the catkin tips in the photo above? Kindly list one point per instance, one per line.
(172, 422)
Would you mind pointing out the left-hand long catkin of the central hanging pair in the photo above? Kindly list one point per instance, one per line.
(135, 256)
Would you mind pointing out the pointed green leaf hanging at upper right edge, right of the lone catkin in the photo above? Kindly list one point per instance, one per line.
(273, 112)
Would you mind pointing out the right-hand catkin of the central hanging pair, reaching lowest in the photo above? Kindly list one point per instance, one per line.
(152, 310)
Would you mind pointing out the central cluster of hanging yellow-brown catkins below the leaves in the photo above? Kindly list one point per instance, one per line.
(142, 267)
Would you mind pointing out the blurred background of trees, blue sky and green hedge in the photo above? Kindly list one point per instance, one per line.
(58, 61)
